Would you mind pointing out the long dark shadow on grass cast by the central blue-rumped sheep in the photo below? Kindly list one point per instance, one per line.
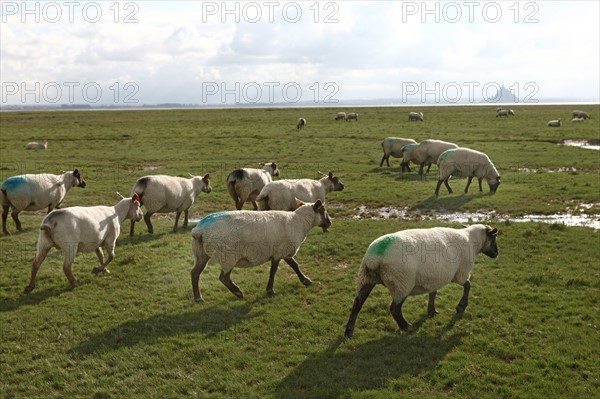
(208, 321)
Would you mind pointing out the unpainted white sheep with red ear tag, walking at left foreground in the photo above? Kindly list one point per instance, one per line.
(83, 229)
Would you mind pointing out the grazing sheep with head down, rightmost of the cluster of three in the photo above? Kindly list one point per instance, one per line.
(465, 162)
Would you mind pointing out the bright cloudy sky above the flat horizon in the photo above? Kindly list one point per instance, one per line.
(132, 53)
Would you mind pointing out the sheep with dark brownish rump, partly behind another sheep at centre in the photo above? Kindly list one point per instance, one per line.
(245, 184)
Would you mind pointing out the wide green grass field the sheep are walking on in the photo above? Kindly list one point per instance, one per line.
(531, 329)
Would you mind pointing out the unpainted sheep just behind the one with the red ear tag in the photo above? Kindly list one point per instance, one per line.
(163, 194)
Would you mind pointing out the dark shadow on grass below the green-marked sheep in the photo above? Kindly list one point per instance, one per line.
(336, 372)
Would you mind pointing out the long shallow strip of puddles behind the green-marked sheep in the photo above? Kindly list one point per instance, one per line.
(568, 219)
